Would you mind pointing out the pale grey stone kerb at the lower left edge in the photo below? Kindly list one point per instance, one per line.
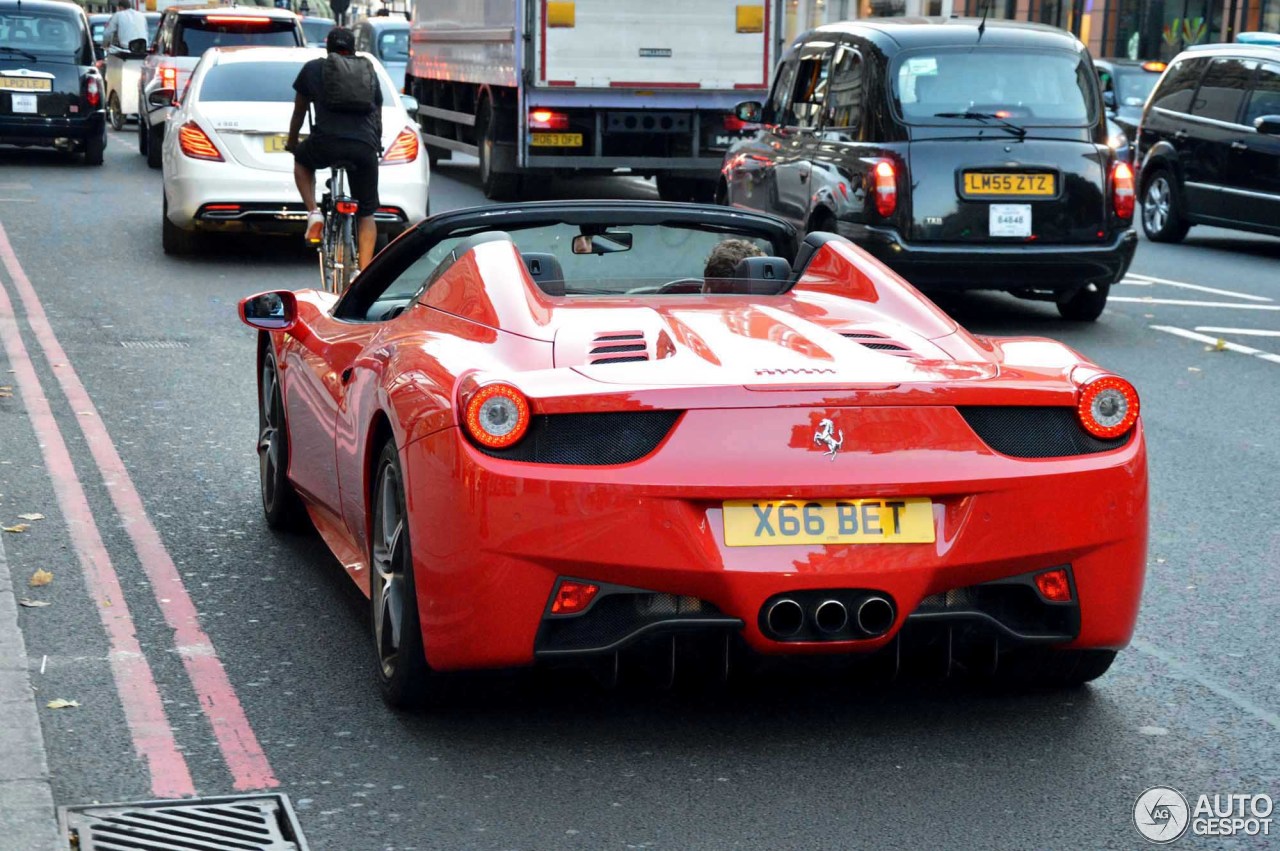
(28, 817)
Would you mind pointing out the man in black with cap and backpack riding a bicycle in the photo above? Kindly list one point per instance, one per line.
(344, 130)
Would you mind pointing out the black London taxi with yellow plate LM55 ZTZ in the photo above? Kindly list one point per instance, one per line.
(966, 155)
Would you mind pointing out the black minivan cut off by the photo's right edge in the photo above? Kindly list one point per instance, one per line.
(1210, 143)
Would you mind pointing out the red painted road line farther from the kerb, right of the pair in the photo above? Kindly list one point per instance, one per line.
(241, 749)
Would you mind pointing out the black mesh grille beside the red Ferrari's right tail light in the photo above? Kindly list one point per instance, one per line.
(1035, 432)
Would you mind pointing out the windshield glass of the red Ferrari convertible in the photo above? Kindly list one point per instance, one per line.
(666, 259)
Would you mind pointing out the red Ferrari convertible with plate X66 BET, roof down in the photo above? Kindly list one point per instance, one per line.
(538, 433)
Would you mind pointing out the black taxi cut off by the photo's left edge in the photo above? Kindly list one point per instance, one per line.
(51, 91)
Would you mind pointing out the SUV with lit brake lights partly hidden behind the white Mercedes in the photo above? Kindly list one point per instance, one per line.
(186, 34)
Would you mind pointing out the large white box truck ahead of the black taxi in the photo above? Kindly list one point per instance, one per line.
(541, 88)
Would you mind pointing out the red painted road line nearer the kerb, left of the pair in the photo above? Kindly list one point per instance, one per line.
(135, 684)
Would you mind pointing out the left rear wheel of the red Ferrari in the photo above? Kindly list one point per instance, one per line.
(404, 676)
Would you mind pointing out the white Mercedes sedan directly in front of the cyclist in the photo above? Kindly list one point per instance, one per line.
(226, 170)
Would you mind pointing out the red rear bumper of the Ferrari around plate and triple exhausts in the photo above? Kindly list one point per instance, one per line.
(652, 534)
